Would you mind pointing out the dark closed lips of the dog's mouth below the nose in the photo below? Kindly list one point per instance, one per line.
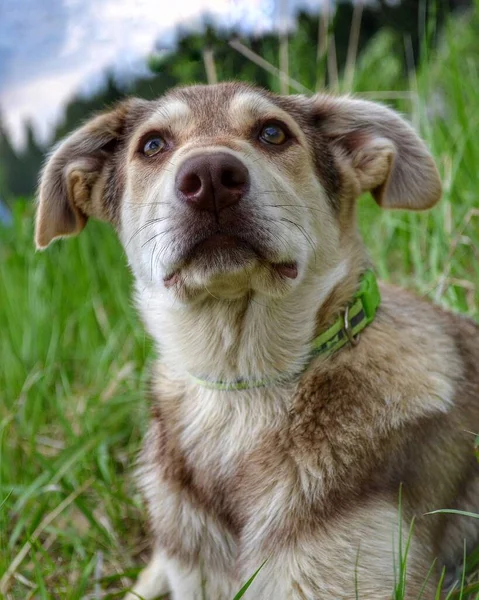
(228, 252)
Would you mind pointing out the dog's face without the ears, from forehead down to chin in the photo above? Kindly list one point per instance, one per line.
(223, 194)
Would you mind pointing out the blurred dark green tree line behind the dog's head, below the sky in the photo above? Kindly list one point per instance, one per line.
(319, 51)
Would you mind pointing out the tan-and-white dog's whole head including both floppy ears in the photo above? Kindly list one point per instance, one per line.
(228, 189)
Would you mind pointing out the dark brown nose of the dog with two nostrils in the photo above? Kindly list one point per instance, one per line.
(212, 182)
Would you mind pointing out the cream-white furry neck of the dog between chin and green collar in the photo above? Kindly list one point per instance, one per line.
(254, 337)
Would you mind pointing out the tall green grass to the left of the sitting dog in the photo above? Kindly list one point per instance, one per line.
(71, 413)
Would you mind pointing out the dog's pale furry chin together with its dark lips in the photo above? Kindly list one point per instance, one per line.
(227, 267)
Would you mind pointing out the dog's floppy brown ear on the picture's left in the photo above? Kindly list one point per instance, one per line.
(81, 178)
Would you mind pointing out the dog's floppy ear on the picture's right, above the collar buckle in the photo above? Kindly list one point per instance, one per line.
(382, 152)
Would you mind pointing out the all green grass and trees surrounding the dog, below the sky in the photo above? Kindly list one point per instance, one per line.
(74, 357)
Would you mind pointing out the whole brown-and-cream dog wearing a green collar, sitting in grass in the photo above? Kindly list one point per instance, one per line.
(303, 420)
